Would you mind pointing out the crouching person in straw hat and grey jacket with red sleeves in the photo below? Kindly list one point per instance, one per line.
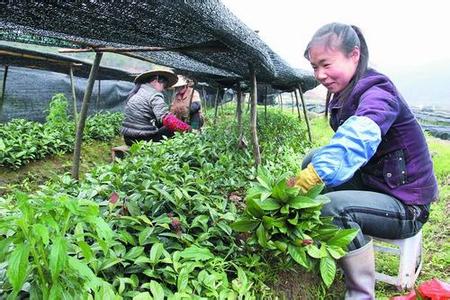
(147, 116)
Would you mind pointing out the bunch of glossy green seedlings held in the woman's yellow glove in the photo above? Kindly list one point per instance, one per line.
(287, 222)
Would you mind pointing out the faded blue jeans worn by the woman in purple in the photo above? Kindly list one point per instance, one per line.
(355, 205)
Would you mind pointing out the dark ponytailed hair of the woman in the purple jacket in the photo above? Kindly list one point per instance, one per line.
(346, 38)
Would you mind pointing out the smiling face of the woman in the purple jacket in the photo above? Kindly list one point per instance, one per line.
(332, 67)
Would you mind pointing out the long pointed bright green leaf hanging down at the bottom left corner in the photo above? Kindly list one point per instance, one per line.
(17, 267)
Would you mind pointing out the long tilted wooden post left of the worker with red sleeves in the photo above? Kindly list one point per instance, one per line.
(83, 115)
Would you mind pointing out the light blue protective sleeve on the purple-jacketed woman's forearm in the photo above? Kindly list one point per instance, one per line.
(351, 147)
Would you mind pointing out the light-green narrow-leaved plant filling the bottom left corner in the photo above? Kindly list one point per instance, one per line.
(48, 241)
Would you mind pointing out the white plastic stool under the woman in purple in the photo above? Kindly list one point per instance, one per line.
(410, 252)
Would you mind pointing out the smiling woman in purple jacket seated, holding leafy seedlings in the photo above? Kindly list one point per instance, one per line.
(377, 169)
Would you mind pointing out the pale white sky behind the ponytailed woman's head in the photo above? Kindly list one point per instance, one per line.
(400, 34)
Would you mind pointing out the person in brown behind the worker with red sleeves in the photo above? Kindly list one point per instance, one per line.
(187, 104)
